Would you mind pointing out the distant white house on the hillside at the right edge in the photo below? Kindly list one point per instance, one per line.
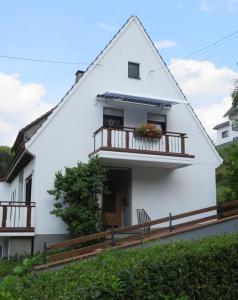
(228, 131)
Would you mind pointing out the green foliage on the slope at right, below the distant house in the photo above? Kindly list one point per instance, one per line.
(227, 174)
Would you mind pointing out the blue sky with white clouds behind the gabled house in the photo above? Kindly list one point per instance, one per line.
(75, 31)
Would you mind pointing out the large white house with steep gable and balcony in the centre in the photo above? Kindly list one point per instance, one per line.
(127, 85)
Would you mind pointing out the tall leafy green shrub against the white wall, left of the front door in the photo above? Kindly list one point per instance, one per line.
(76, 194)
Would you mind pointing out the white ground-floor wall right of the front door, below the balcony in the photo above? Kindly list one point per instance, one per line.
(177, 191)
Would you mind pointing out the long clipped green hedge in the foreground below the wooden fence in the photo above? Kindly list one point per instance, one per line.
(205, 269)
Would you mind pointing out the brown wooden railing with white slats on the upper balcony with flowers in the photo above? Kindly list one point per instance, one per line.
(125, 140)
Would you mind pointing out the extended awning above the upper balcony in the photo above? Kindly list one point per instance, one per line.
(116, 97)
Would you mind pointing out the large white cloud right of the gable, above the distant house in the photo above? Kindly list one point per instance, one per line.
(207, 87)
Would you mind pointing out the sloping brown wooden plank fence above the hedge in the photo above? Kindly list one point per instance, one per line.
(220, 213)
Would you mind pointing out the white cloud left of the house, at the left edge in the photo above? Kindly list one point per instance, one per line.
(19, 104)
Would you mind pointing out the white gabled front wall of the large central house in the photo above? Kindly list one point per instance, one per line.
(159, 184)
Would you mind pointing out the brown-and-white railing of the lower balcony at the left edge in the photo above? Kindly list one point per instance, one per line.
(16, 216)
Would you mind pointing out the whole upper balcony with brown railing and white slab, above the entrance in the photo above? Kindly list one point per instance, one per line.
(123, 146)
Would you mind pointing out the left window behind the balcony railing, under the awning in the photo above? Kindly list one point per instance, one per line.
(113, 118)
